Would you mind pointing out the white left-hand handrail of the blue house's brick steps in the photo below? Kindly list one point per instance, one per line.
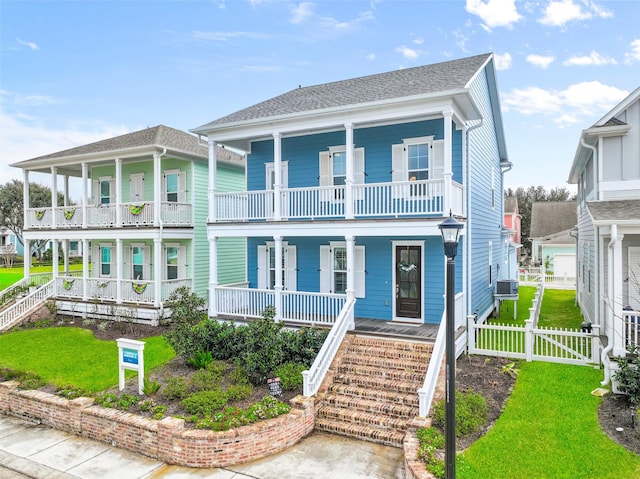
(313, 377)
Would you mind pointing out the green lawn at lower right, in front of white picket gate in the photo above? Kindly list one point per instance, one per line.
(549, 430)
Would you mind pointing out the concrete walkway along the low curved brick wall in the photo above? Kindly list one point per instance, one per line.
(28, 450)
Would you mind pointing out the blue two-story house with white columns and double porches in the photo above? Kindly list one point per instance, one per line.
(346, 185)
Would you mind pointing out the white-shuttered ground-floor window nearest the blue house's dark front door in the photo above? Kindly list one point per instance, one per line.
(333, 269)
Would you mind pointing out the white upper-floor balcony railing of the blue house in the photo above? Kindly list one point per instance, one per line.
(409, 198)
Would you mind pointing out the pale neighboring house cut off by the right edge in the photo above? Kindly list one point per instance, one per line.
(606, 168)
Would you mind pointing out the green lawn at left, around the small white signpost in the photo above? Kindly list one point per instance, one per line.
(73, 356)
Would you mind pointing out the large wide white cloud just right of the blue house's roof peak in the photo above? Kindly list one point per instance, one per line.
(572, 105)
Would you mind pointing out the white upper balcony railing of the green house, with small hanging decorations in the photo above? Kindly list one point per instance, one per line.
(109, 215)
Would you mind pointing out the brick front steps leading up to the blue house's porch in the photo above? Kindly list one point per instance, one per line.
(372, 392)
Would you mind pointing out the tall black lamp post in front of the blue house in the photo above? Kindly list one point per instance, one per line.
(450, 229)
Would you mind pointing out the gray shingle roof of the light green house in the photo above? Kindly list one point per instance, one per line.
(161, 136)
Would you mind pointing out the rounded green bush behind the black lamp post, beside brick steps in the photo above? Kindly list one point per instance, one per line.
(471, 412)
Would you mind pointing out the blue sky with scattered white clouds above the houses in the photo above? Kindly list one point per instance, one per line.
(74, 72)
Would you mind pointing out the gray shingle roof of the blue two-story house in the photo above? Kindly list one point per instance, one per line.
(423, 80)
